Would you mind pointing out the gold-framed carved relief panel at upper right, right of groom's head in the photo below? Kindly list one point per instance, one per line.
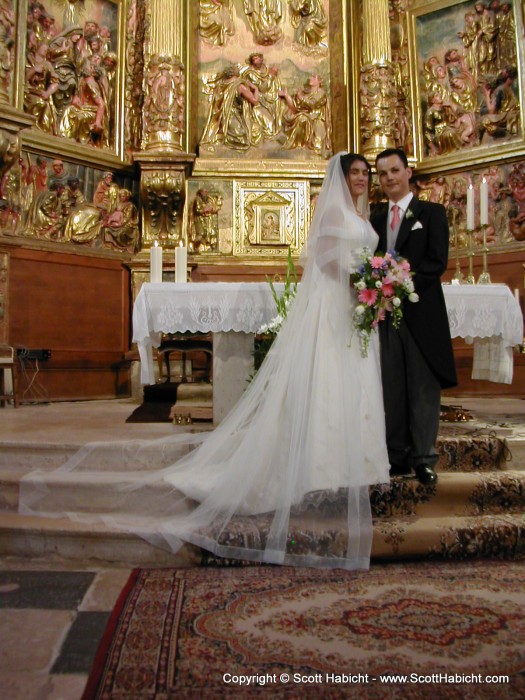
(467, 86)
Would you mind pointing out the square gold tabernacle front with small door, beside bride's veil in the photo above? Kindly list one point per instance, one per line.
(288, 203)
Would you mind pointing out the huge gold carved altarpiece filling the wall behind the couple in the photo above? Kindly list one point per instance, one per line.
(209, 124)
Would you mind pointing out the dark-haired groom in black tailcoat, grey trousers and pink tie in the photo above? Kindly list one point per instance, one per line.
(417, 359)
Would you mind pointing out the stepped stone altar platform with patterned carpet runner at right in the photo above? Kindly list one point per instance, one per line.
(477, 508)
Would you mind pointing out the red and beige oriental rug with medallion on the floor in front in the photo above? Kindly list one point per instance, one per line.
(429, 630)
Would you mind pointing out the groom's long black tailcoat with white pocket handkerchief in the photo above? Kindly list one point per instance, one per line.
(426, 249)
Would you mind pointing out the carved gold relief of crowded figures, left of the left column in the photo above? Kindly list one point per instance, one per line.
(73, 68)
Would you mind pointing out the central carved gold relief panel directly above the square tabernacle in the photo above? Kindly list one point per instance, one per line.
(264, 77)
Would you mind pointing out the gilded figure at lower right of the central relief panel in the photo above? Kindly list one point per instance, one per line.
(307, 121)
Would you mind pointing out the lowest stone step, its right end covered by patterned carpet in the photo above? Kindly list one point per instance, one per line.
(440, 537)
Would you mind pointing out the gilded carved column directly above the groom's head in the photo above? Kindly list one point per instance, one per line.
(377, 87)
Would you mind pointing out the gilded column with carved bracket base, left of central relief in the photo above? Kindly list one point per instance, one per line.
(163, 159)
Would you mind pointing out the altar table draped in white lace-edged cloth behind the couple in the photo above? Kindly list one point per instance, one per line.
(488, 316)
